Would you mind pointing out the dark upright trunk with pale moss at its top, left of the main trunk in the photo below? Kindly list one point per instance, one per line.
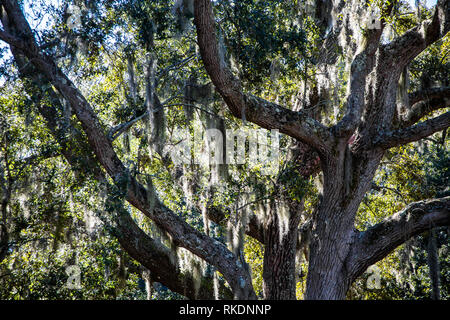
(280, 242)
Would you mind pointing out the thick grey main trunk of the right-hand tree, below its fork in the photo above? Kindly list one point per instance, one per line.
(333, 232)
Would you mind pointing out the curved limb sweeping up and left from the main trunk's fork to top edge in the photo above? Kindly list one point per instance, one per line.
(254, 109)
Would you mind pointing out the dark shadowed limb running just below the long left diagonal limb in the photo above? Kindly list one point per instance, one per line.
(150, 253)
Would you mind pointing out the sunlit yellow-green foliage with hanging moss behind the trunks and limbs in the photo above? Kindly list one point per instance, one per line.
(58, 217)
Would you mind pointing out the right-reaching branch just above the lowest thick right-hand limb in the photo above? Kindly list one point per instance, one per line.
(414, 133)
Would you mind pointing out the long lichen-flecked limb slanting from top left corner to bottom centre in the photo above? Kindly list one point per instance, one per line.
(183, 235)
